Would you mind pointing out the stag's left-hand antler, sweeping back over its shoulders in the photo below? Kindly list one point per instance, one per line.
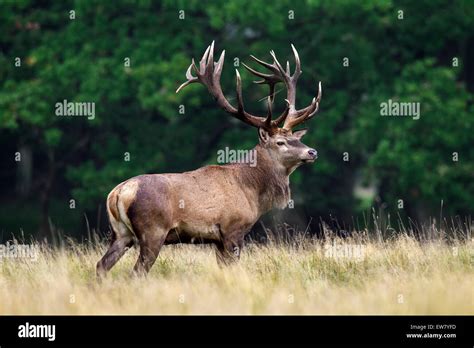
(209, 74)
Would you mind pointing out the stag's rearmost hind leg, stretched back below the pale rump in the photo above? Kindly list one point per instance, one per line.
(122, 240)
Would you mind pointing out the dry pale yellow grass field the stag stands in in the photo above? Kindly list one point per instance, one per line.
(307, 276)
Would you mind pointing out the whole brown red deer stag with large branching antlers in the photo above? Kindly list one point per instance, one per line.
(215, 204)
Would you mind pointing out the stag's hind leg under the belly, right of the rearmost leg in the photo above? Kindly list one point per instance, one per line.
(150, 242)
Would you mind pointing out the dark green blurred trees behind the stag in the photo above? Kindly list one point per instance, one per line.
(128, 57)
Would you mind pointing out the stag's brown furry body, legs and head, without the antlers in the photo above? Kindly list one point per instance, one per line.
(212, 204)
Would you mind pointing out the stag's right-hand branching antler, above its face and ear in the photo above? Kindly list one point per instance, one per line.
(293, 116)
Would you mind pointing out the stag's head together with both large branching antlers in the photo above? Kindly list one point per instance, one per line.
(276, 135)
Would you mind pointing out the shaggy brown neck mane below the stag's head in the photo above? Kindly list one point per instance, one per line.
(269, 180)
